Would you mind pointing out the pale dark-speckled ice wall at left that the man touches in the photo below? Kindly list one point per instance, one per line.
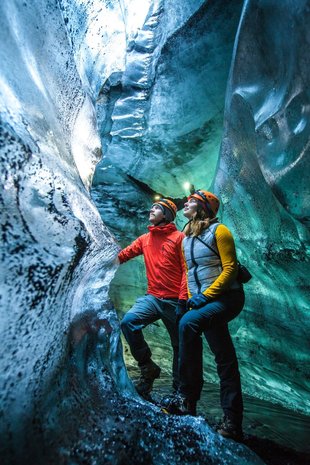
(64, 391)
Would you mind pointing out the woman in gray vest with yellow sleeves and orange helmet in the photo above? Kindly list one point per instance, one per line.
(216, 298)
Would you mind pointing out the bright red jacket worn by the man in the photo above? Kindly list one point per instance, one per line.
(164, 263)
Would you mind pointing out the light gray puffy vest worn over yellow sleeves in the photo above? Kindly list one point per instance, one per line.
(204, 266)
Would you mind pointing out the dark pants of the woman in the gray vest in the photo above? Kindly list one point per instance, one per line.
(212, 320)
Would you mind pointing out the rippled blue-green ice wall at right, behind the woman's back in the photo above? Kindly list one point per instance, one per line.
(263, 180)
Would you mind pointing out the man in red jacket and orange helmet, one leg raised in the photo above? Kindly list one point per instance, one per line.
(166, 290)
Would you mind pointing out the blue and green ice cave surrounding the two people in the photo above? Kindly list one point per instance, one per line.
(103, 104)
